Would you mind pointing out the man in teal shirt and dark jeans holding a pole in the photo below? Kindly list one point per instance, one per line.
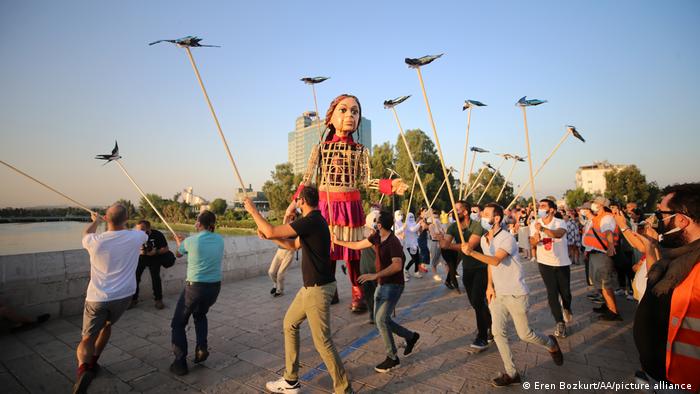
(204, 252)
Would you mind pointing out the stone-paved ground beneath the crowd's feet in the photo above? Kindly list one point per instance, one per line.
(246, 343)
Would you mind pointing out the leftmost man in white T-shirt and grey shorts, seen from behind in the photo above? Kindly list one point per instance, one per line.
(114, 256)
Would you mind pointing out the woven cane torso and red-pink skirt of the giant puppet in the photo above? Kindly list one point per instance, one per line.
(339, 169)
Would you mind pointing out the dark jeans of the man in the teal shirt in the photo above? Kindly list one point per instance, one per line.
(195, 300)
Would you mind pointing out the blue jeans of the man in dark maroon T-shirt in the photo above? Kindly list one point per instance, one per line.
(385, 299)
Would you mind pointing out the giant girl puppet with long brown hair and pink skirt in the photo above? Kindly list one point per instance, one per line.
(340, 167)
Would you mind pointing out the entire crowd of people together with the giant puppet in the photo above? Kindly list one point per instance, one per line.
(653, 261)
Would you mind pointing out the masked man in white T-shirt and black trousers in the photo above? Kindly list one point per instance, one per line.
(548, 234)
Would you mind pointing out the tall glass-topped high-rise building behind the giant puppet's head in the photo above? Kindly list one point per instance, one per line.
(306, 135)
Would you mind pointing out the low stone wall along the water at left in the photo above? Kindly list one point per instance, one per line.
(55, 282)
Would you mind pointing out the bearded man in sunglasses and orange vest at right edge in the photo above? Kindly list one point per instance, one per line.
(667, 321)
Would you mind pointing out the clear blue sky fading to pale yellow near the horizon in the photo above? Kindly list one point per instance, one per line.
(75, 76)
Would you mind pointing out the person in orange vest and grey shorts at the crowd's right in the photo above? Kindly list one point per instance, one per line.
(600, 239)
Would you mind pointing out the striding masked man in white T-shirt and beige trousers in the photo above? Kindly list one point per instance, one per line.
(507, 293)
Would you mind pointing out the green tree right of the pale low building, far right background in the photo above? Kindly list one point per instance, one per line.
(630, 185)
